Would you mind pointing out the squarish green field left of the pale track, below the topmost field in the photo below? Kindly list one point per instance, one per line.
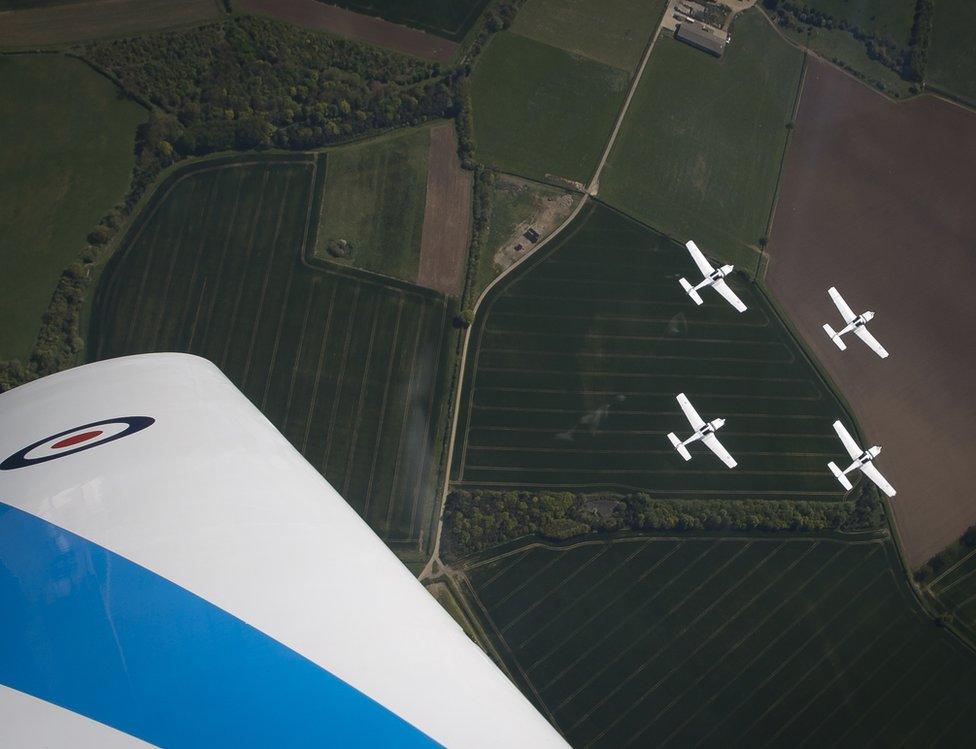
(541, 112)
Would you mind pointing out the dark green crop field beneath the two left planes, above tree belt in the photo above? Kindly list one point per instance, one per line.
(576, 359)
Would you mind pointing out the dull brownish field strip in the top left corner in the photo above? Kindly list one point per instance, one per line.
(53, 25)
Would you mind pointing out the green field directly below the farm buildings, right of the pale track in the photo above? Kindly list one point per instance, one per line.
(699, 153)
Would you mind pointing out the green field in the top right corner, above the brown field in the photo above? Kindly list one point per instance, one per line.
(952, 49)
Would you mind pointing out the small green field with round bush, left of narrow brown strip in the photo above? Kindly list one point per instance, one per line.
(374, 198)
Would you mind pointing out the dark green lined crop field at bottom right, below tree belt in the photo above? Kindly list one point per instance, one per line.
(752, 642)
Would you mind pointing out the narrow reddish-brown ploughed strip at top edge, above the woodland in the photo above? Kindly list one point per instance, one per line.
(345, 23)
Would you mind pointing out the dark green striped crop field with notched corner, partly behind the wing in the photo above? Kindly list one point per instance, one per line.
(347, 368)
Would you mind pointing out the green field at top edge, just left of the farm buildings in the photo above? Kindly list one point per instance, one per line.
(614, 32)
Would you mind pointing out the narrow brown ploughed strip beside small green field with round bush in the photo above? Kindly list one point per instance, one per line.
(447, 214)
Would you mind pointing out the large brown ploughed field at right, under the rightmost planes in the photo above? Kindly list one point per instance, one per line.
(878, 199)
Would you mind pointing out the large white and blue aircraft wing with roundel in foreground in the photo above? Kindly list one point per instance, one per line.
(174, 572)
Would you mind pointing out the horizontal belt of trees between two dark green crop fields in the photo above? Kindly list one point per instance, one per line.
(477, 520)
